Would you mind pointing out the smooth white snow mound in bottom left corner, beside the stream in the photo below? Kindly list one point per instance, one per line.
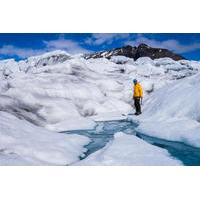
(23, 143)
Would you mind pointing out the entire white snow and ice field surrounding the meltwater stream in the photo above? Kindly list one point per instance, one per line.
(55, 92)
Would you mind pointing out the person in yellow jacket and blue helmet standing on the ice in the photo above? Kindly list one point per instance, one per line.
(137, 96)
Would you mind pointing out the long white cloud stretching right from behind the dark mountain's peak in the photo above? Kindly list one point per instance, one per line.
(173, 45)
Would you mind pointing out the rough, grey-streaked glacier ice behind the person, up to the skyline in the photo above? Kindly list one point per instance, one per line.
(50, 89)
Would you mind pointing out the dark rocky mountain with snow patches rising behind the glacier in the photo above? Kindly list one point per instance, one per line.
(142, 50)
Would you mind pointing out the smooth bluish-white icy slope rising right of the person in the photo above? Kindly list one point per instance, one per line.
(173, 112)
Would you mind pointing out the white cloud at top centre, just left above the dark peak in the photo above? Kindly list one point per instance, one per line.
(105, 38)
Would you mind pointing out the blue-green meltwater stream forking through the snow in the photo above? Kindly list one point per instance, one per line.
(104, 132)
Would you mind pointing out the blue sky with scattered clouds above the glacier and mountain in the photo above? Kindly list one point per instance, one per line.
(21, 46)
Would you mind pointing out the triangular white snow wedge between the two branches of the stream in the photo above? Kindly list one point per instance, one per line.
(129, 150)
